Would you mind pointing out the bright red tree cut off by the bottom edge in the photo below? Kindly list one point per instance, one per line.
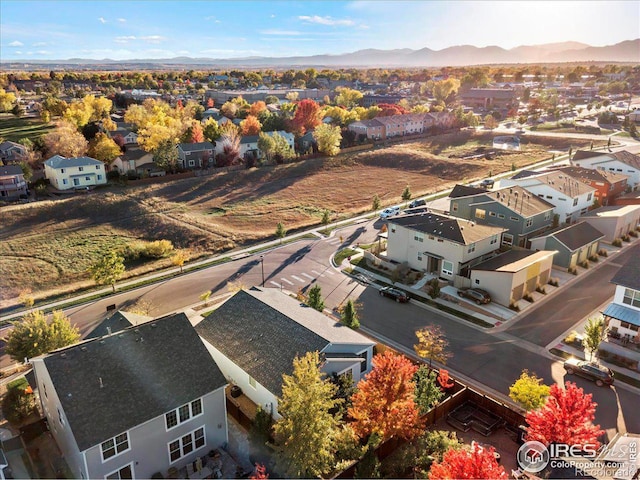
(476, 462)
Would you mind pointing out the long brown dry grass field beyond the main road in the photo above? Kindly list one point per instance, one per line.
(49, 246)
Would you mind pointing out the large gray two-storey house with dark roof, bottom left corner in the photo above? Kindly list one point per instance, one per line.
(134, 403)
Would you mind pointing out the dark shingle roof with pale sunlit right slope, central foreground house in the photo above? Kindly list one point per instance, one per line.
(262, 330)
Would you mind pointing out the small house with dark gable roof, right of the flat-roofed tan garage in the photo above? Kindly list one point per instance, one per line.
(574, 244)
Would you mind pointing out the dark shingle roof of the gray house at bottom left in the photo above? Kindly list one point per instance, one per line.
(146, 371)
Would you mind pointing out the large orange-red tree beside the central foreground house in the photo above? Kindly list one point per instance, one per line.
(384, 402)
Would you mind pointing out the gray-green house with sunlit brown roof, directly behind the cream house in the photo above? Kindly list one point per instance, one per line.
(521, 213)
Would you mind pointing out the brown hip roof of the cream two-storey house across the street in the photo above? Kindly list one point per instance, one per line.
(455, 229)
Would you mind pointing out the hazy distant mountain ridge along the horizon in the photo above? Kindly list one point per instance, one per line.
(460, 55)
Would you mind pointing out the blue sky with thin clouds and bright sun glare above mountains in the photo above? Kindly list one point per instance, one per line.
(122, 30)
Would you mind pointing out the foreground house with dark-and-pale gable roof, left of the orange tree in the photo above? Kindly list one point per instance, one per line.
(256, 334)
